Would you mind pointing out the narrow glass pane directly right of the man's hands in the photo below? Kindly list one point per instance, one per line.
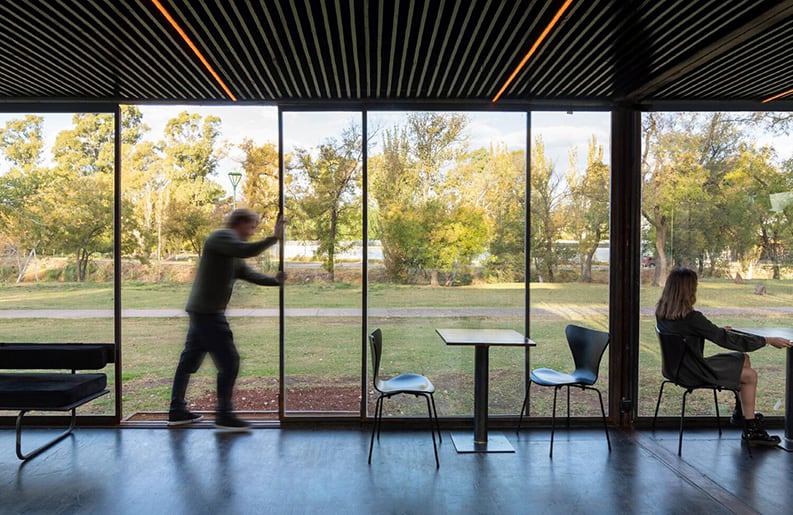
(323, 259)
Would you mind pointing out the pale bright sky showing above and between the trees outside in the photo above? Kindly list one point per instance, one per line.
(559, 130)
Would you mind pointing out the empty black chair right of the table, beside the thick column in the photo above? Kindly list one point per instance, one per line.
(587, 347)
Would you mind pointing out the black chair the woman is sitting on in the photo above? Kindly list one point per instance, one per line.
(676, 356)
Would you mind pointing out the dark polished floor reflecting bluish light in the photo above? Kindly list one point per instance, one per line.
(198, 470)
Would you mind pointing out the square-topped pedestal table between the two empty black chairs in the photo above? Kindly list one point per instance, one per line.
(482, 340)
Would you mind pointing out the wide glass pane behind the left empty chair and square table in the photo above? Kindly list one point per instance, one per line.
(446, 212)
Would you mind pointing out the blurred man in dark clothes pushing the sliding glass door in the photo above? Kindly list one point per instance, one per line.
(221, 263)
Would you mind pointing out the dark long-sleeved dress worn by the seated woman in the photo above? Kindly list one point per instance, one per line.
(726, 366)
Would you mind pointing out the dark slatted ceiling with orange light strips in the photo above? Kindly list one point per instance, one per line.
(652, 53)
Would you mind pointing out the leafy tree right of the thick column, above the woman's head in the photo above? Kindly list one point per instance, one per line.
(688, 203)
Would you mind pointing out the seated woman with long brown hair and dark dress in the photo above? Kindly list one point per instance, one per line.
(675, 314)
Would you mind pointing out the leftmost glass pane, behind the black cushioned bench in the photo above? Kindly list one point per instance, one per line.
(56, 231)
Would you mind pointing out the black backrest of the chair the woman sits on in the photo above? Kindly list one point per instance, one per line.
(682, 366)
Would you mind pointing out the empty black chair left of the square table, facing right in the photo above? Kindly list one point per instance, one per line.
(413, 384)
